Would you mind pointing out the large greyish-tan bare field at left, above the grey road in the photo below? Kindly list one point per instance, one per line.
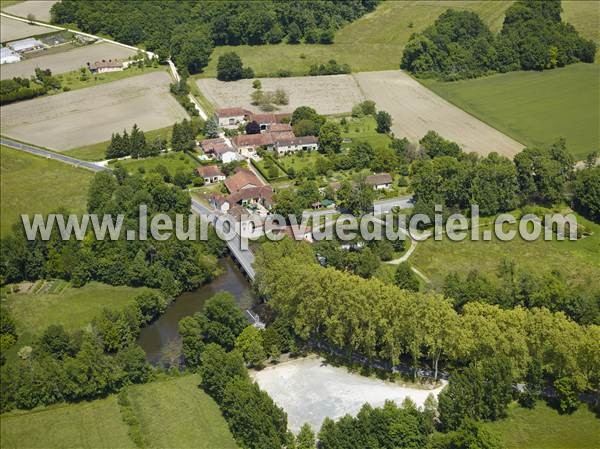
(82, 117)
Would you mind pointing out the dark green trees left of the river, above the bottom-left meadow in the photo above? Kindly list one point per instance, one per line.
(61, 366)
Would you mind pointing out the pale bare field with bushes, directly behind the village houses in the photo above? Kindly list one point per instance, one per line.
(331, 94)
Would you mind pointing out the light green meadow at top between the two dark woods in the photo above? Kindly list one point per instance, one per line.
(373, 42)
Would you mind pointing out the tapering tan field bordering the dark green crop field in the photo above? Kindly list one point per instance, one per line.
(416, 110)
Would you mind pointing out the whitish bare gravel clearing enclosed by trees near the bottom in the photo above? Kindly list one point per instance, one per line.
(310, 391)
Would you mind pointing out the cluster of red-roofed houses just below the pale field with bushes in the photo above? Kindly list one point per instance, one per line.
(275, 134)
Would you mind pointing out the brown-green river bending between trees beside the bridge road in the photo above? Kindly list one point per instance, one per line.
(160, 340)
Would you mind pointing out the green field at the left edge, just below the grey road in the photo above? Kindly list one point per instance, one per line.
(31, 184)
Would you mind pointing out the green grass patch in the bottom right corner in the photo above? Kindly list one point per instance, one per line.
(544, 428)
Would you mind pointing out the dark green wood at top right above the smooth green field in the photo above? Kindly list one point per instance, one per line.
(459, 45)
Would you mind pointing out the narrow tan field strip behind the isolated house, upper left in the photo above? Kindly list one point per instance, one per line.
(66, 61)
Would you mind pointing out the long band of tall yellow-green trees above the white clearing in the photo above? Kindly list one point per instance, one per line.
(349, 315)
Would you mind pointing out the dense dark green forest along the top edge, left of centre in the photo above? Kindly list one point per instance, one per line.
(187, 30)
